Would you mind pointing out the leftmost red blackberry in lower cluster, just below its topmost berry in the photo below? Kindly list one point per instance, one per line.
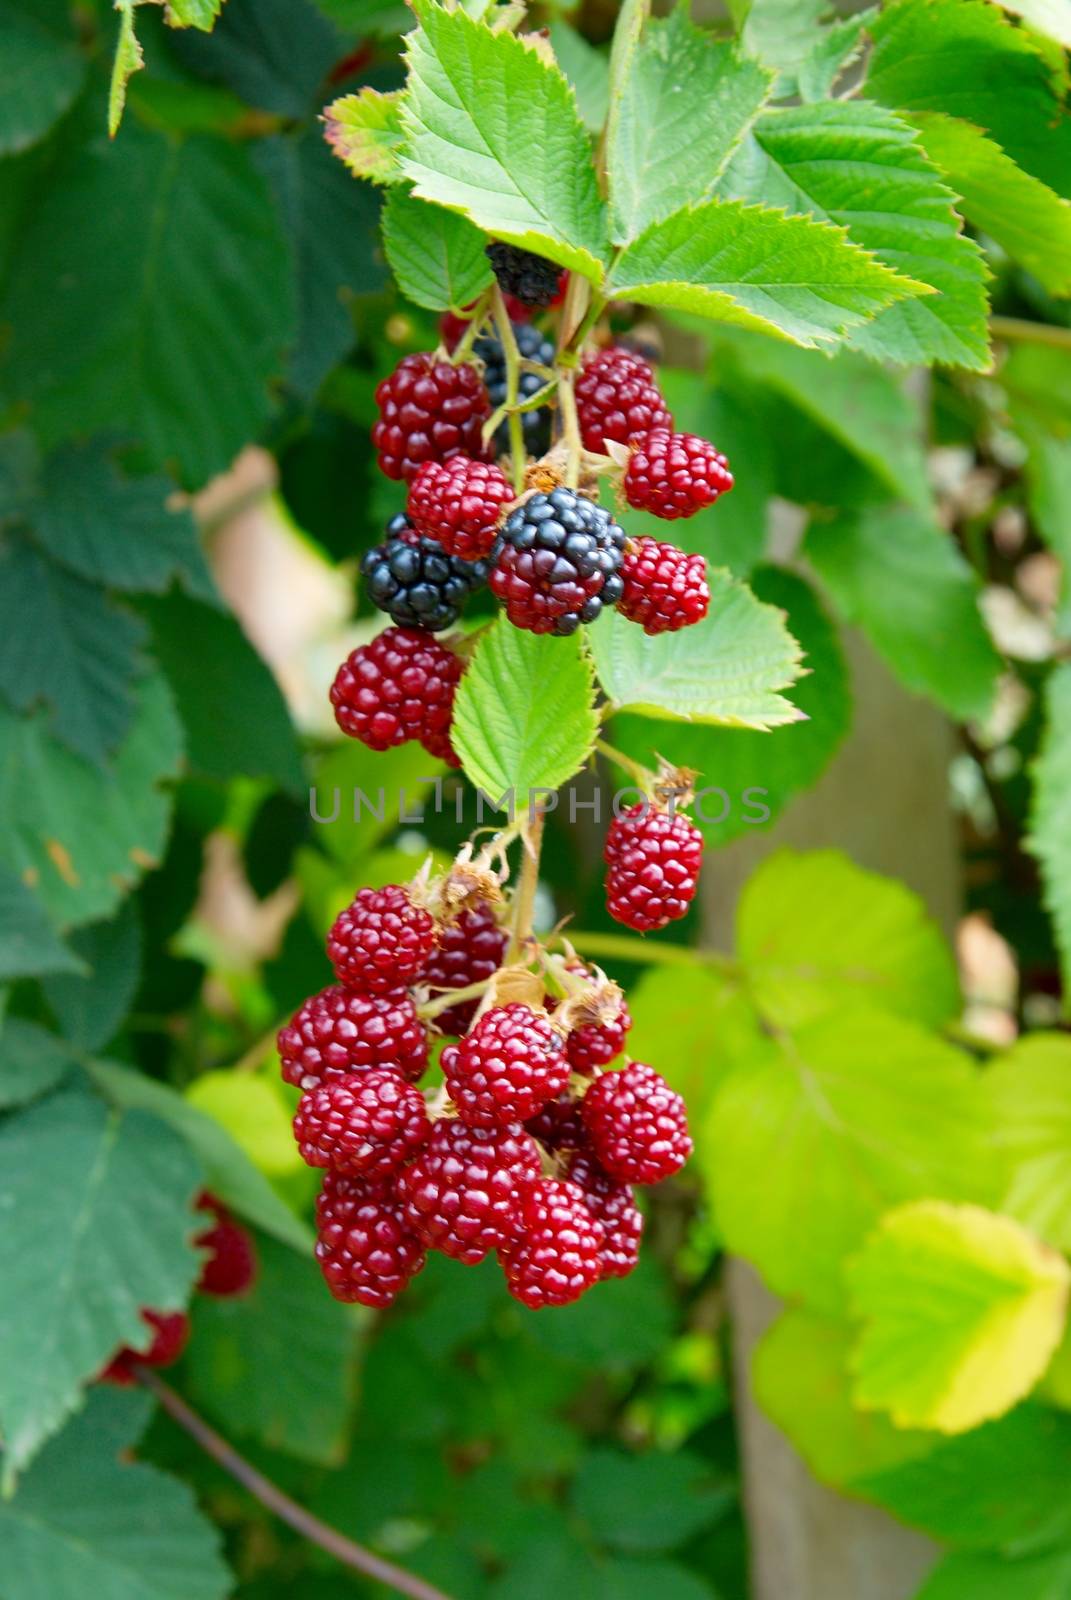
(342, 1031)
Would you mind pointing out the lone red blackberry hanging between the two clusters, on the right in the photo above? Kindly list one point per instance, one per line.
(654, 862)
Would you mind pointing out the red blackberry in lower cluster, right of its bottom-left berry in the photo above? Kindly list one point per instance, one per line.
(463, 1191)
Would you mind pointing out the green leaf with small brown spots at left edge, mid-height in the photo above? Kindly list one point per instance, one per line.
(81, 836)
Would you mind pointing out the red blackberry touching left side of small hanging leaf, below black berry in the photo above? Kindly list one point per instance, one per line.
(399, 687)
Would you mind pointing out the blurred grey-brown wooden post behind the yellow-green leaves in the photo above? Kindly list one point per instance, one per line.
(884, 802)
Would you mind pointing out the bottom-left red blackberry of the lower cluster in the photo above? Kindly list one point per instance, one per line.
(366, 1250)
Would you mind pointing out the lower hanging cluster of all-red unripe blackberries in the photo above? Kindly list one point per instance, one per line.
(529, 1151)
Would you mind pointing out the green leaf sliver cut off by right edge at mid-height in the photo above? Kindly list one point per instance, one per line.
(1051, 809)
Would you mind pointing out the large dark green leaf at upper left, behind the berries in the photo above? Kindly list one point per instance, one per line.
(167, 329)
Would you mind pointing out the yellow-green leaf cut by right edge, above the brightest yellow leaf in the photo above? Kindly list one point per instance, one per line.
(1032, 1098)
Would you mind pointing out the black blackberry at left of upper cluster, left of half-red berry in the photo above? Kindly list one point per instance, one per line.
(415, 582)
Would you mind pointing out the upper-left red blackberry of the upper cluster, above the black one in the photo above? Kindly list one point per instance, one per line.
(428, 412)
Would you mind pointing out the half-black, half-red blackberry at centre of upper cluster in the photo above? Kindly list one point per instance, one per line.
(560, 564)
